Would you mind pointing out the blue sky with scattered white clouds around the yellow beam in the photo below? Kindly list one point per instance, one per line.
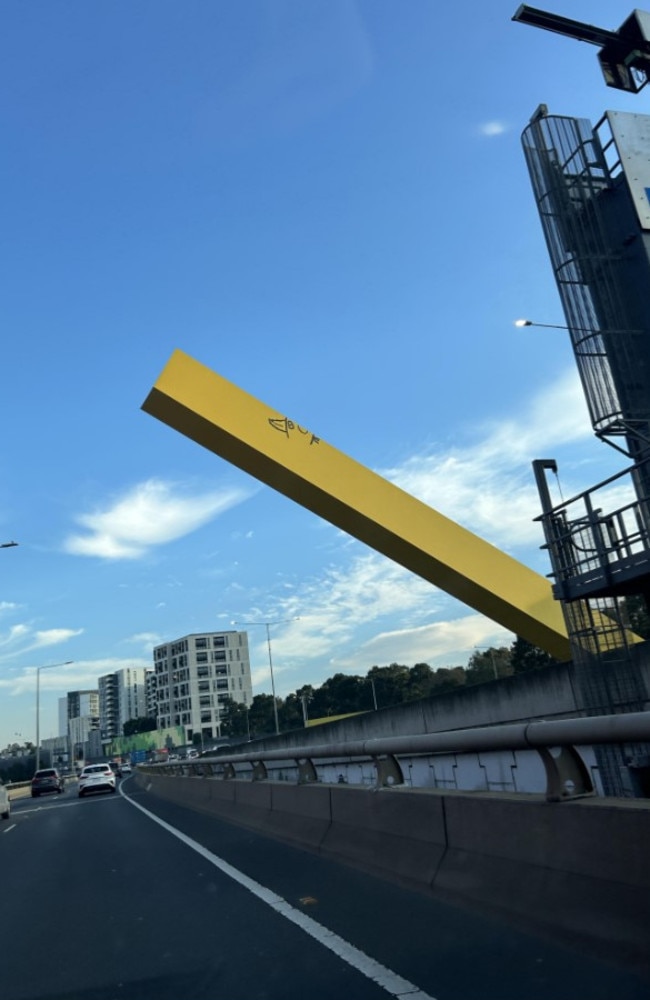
(327, 203)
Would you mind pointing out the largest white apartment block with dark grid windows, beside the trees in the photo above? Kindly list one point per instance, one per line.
(195, 675)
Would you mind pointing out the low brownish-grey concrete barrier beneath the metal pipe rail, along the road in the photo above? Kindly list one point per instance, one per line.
(574, 869)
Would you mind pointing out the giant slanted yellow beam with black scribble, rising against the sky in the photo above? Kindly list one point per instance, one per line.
(201, 404)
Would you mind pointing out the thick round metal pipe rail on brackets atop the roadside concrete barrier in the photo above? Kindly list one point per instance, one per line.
(567, 775)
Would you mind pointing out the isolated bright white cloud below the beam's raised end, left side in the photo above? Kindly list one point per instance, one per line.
(152, 513)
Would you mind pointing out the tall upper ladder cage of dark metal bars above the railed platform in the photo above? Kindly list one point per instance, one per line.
(572, 182)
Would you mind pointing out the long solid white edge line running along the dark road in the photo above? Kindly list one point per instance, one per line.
(385, 978)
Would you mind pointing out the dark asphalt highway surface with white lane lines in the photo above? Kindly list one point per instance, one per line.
(100, 900)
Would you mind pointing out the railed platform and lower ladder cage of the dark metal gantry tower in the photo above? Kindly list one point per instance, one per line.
(597, 560)
